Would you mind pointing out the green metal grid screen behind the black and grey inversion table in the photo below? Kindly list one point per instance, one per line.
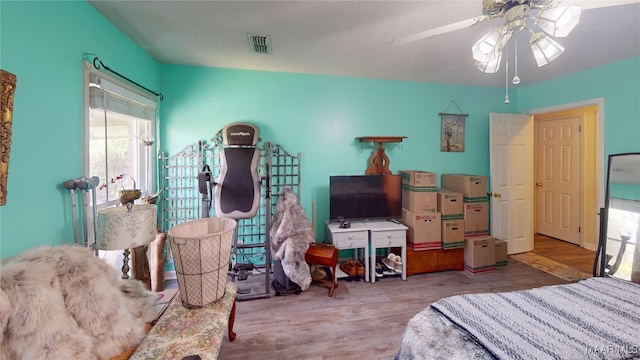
(251, 249)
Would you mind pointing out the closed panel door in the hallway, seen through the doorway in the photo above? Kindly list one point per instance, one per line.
(558, 182)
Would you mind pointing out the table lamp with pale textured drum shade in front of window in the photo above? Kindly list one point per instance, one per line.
(126, 227)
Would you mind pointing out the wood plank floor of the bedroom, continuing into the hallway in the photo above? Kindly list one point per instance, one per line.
(364, 320)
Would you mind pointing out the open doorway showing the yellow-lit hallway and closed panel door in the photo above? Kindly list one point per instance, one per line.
(566, 175)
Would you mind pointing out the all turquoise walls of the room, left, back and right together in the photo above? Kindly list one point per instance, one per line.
(319, 116)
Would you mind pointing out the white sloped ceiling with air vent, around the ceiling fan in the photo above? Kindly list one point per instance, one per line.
(353, 38)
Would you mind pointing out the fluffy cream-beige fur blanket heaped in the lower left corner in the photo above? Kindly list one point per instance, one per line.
(64, 303)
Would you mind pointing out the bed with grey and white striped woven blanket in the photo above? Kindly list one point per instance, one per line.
(596, 318)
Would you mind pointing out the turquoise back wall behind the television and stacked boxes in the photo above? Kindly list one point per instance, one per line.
(321, 116)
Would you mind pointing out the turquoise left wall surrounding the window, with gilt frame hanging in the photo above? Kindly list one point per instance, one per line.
(42, 43)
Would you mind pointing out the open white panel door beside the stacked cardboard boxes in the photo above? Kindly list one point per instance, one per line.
(511, 175)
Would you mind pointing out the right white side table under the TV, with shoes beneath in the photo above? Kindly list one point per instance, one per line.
(386, 234)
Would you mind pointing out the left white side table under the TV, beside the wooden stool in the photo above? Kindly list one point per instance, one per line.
(355, 237)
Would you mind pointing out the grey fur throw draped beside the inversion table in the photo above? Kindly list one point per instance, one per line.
(291, 234)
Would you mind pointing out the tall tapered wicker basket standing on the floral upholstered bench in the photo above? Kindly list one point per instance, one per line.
(201, 250)
